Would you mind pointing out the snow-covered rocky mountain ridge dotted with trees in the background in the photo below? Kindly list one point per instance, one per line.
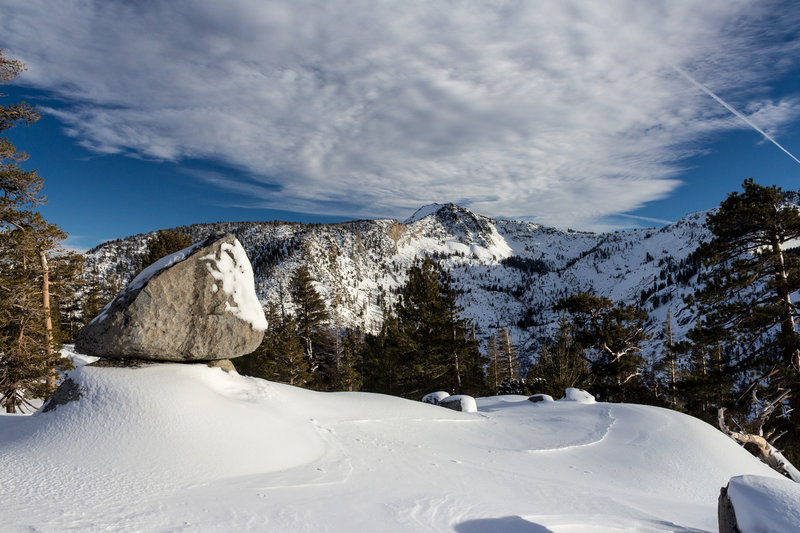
(510, 272)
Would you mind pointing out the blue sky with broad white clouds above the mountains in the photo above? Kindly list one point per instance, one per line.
(569, 113)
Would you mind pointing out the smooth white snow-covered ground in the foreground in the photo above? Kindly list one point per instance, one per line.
(178, 447)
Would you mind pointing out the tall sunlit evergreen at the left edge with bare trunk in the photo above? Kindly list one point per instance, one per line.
(28, 334)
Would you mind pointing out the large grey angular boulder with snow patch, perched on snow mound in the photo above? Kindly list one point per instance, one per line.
(198, 304)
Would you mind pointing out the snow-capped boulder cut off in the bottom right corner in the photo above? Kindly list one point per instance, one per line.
(762, 504)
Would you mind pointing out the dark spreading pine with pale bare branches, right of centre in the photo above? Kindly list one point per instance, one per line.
(612, 335)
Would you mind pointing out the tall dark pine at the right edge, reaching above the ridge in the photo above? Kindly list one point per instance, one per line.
(747, 319)
